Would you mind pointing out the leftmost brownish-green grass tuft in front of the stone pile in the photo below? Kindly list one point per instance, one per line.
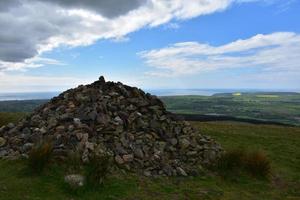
(39, 156)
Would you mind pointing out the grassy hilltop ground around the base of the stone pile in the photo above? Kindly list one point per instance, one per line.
(281, 144)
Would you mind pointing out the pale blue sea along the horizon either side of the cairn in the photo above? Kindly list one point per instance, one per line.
(158, 92)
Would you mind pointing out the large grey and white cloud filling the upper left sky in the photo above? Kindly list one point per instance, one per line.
(31, 27)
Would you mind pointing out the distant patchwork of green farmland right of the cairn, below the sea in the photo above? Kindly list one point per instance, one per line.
(275, 106)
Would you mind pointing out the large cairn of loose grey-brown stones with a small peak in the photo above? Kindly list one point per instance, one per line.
(132, 125)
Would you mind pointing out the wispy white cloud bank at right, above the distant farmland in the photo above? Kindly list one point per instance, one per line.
(273, 52)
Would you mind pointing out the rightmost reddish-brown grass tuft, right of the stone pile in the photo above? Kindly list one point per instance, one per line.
(257, 164)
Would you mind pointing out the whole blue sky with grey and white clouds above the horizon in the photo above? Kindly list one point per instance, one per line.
(52, 45)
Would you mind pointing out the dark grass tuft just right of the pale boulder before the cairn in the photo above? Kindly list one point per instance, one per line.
(97, 169)
